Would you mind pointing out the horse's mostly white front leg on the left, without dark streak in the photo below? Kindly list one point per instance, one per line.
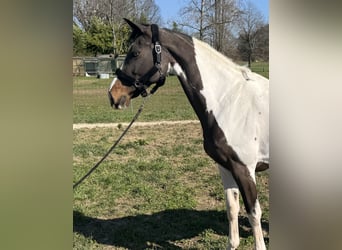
(231, 191)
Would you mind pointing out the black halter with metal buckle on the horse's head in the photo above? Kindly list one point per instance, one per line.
(142, 83)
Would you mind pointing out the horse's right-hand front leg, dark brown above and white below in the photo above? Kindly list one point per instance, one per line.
(245, 179)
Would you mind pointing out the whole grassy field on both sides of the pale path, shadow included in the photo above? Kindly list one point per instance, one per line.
(158, 189)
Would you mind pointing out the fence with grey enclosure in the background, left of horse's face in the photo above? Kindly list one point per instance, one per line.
(95, 66)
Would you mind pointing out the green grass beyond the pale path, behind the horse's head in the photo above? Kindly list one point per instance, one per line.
(91, 104)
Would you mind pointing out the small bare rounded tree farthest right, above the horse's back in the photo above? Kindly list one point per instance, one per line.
(250, 24)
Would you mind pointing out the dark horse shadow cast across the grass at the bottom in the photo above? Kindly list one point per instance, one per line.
(157, 230)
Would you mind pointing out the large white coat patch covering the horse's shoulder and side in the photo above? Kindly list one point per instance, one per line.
(240, 104)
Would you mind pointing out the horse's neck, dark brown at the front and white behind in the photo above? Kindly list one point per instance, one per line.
(198, 63)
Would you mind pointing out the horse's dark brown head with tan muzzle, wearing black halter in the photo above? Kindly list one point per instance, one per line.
(146, 63)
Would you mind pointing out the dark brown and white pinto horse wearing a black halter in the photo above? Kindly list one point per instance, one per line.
(230, 101)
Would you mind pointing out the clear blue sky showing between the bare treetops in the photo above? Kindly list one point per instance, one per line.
(169, 8)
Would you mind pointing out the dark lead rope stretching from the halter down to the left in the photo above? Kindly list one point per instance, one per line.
(116, 143)
